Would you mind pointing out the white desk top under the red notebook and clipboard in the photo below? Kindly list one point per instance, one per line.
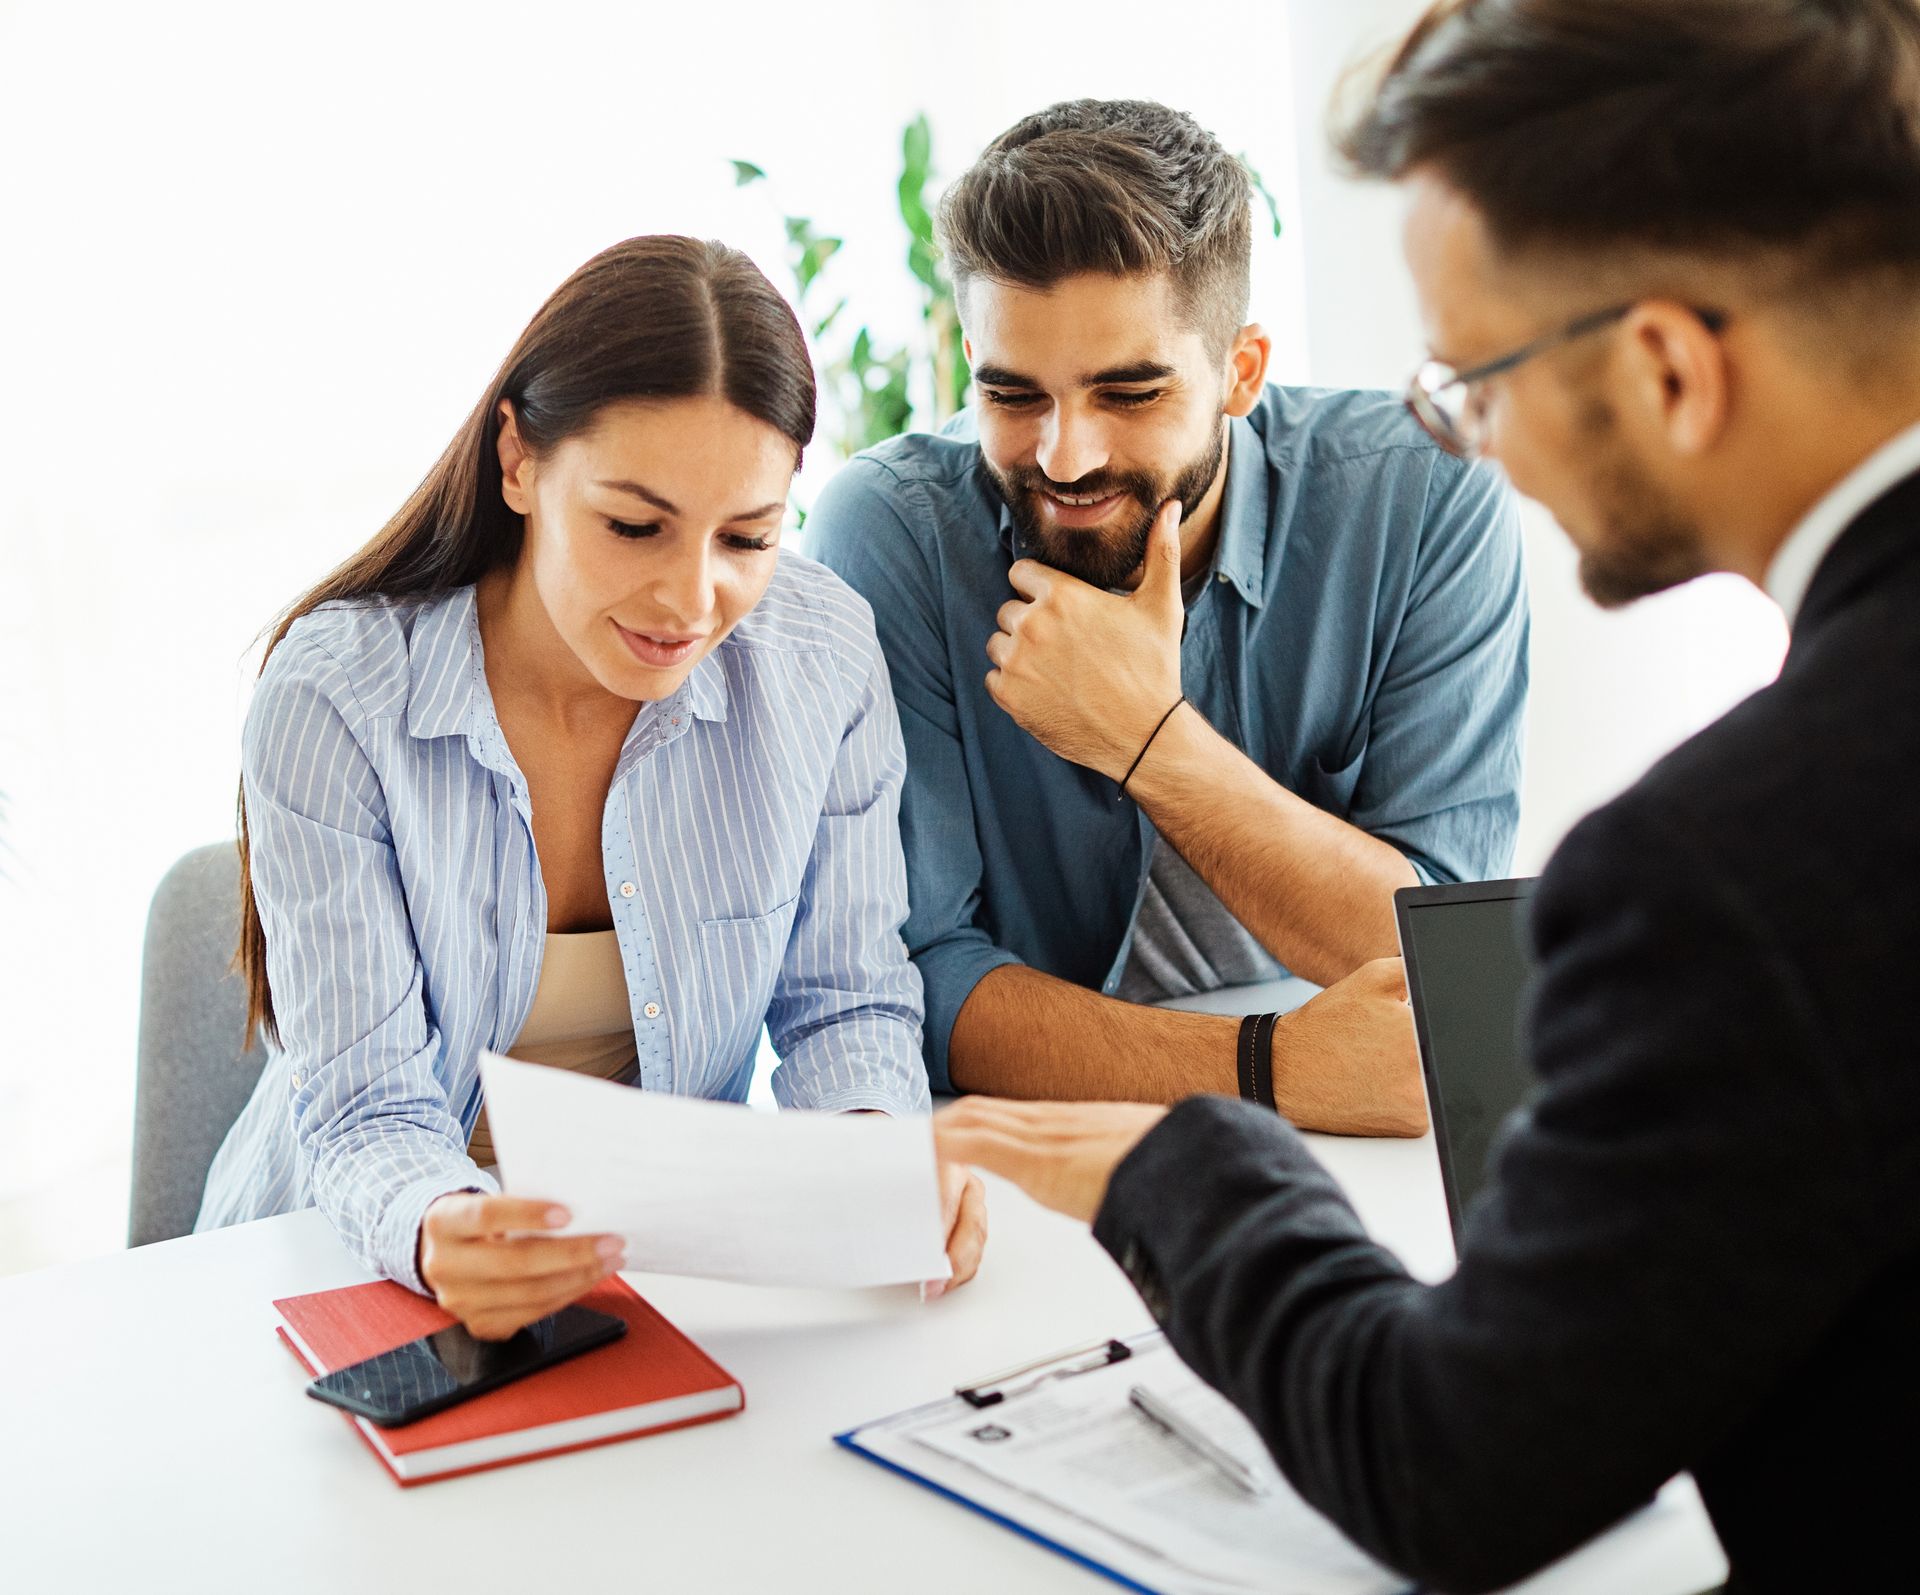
(155, 1439)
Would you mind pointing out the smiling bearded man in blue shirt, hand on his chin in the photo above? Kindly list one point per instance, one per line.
(1193, 671)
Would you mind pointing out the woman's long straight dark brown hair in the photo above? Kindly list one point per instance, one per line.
(654, 318)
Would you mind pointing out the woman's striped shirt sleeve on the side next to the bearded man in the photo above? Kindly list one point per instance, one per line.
(848, 1005)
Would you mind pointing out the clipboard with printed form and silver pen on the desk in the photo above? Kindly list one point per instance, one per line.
(1067, 1452)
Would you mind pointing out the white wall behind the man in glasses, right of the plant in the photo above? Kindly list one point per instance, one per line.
(1610, 692)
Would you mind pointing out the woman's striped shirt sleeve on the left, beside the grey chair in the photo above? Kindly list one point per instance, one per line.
(375, 1135)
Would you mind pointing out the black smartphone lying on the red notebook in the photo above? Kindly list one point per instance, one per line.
(450, 1366)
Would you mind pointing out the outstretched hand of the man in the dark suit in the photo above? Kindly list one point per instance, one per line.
(1063, 1155)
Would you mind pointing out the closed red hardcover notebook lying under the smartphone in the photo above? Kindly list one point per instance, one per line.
(652, 1379)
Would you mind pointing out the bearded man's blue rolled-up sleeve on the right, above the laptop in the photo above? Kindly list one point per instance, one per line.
(1443, 774)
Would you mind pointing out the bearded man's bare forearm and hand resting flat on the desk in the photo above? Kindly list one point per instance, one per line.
(1343, 1062)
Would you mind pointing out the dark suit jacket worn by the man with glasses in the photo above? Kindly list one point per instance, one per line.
(1702, 1241)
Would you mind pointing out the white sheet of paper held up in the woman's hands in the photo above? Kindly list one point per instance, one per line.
(717, 1189)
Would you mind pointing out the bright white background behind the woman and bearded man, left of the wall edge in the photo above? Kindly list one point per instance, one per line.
(260, 264)
